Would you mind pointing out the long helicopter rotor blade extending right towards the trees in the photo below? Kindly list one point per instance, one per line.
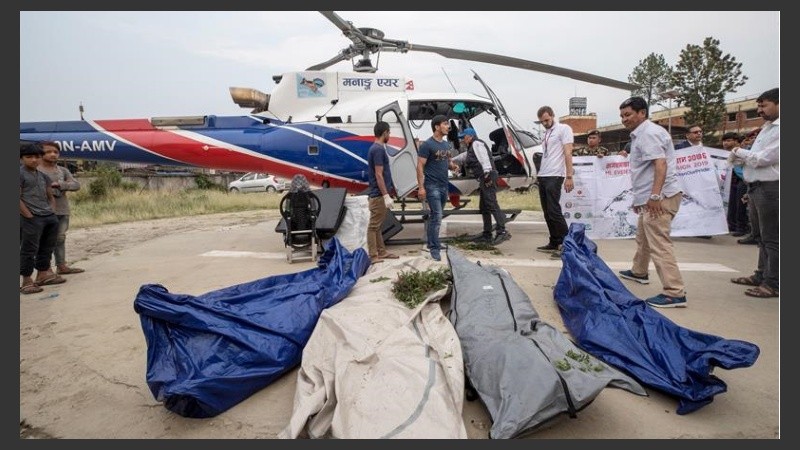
(509, 61)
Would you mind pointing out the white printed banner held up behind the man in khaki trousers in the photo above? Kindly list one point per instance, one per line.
(602, 198)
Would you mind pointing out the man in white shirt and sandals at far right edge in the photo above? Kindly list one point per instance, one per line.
(762, 172)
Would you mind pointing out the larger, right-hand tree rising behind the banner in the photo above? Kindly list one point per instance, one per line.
(704, 76)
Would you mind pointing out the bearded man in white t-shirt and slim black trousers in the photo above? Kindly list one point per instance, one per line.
(555, 171)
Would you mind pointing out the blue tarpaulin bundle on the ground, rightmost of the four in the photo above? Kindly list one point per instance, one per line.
(612, 324)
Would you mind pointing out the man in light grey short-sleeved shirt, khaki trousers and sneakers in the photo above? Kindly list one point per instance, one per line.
(656, 198)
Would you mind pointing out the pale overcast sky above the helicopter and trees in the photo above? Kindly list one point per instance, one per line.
(145, 64)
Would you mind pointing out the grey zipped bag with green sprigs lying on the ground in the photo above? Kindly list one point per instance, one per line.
(524, 370)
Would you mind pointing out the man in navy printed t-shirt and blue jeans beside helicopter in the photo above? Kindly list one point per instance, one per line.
(433, 161)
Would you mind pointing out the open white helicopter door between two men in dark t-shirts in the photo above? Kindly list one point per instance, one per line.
(402, 150)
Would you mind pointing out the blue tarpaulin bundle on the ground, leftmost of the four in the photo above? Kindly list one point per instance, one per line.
(208, 352)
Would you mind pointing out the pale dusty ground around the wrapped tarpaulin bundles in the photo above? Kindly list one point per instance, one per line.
(83, 355)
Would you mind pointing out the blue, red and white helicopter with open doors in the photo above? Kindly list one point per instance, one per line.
(319, 123)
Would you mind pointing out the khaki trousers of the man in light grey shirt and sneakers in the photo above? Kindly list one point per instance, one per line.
(653, 242)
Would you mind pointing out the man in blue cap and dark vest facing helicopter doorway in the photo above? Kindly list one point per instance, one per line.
(479, 164)
